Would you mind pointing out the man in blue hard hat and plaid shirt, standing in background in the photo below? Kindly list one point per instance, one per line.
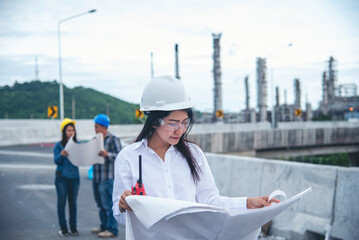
(103, 175)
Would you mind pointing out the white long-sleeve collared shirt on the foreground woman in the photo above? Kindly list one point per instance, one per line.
(168, 179)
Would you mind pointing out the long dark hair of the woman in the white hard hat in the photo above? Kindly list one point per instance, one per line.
(182, 145)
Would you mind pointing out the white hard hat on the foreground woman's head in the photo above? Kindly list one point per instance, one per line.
(165, 93)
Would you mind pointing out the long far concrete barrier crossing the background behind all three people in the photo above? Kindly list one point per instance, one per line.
(212, 137)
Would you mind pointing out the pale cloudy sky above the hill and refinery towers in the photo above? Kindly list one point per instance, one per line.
(109, 50)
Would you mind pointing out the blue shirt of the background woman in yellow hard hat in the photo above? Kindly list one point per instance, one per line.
(64, 165)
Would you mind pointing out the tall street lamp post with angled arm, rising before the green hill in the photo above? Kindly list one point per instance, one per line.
(60, 60)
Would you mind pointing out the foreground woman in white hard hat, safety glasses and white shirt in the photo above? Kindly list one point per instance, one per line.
(172, 166)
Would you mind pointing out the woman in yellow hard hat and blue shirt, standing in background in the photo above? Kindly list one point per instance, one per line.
(67, 180)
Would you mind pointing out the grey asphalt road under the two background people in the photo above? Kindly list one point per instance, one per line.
(28, 196)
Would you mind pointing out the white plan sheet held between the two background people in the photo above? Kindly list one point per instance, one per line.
(85, 154)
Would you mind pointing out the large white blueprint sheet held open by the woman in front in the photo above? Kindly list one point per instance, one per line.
(163, 219)
